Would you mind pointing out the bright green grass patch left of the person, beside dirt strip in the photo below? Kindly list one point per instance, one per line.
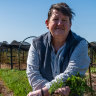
(16, 81)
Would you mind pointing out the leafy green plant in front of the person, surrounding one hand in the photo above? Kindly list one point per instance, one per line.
(77, 84)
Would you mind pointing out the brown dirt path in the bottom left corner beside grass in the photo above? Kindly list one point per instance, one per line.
(4, 90)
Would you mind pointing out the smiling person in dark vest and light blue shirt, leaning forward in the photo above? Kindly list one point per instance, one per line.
(56, 54)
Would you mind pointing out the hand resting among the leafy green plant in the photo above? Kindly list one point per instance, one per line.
(63, 91)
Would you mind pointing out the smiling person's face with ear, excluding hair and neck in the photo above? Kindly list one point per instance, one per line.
(59, 25)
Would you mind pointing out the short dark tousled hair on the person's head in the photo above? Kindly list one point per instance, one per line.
(63, 8)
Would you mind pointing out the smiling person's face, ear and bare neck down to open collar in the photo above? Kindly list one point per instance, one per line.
(59, 25)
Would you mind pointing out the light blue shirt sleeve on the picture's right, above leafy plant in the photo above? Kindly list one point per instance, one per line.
(79, 62)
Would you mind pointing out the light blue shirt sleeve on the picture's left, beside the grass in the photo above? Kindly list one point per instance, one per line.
(35, 78)
